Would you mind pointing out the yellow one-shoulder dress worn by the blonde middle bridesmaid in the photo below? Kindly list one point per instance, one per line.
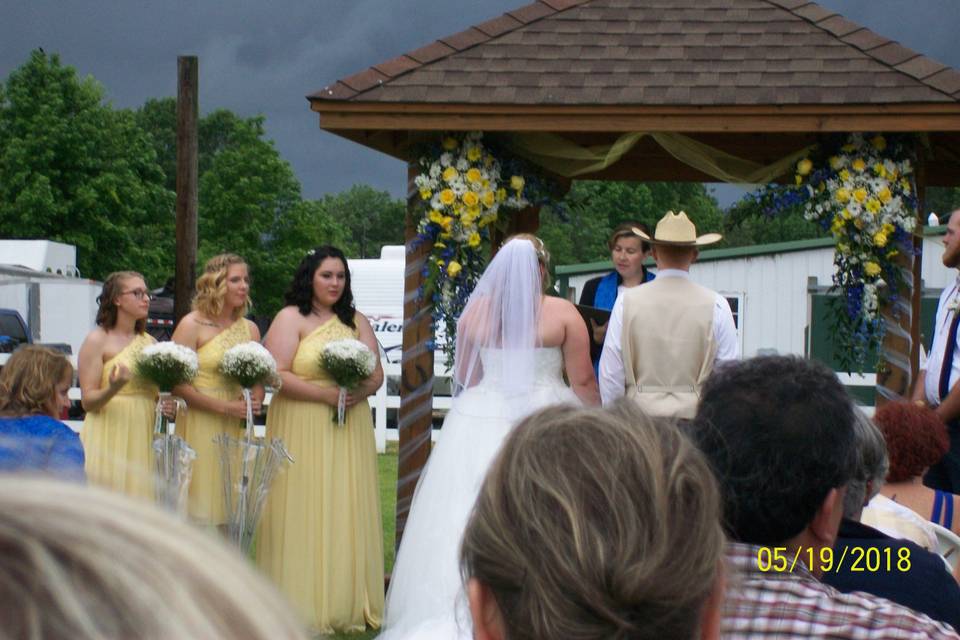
(199, 427)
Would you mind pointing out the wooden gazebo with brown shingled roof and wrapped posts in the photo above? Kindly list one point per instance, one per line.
(645, 90)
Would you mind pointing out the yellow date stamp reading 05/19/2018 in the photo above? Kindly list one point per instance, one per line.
(853, 559)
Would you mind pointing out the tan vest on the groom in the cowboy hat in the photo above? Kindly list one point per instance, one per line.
(668, 345)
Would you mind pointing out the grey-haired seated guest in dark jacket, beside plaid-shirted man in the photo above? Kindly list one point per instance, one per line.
(926, 586)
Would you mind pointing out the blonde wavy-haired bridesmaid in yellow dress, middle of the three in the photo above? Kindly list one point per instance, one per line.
(214, 404)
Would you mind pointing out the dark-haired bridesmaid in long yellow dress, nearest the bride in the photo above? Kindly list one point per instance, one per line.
(321, 537)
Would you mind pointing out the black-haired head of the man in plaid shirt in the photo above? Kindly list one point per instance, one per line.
(778, 431)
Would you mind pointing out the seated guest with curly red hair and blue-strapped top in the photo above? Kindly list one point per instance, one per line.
(916, 439)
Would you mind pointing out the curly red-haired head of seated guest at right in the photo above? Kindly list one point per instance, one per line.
(916, 438)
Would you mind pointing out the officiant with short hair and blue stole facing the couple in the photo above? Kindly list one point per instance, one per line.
(627, 252)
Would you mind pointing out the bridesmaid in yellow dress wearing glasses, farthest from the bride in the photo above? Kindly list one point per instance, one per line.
(117, 432)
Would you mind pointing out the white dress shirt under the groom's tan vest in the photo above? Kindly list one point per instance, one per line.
(612, 376)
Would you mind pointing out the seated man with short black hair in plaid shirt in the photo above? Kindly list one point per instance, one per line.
(778, 432)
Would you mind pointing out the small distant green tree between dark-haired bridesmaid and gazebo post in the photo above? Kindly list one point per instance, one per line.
(372, 219)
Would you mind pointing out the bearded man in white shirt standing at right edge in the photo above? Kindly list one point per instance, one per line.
(937, 382)
